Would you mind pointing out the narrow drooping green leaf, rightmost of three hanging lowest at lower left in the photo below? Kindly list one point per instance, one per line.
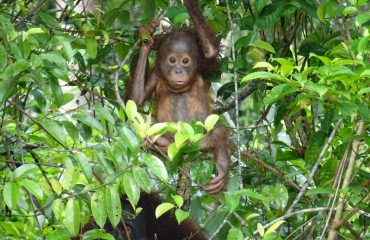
(114, 208)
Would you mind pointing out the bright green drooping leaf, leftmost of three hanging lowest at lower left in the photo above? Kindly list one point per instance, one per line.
(72, 217)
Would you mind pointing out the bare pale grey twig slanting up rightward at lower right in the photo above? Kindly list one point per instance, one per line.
(315, 167)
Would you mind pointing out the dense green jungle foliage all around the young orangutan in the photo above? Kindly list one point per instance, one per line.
(70, 147)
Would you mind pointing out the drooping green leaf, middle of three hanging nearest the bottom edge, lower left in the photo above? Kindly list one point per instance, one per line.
(99, 208)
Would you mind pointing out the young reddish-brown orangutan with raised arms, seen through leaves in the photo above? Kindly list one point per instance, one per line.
(178, 85)
